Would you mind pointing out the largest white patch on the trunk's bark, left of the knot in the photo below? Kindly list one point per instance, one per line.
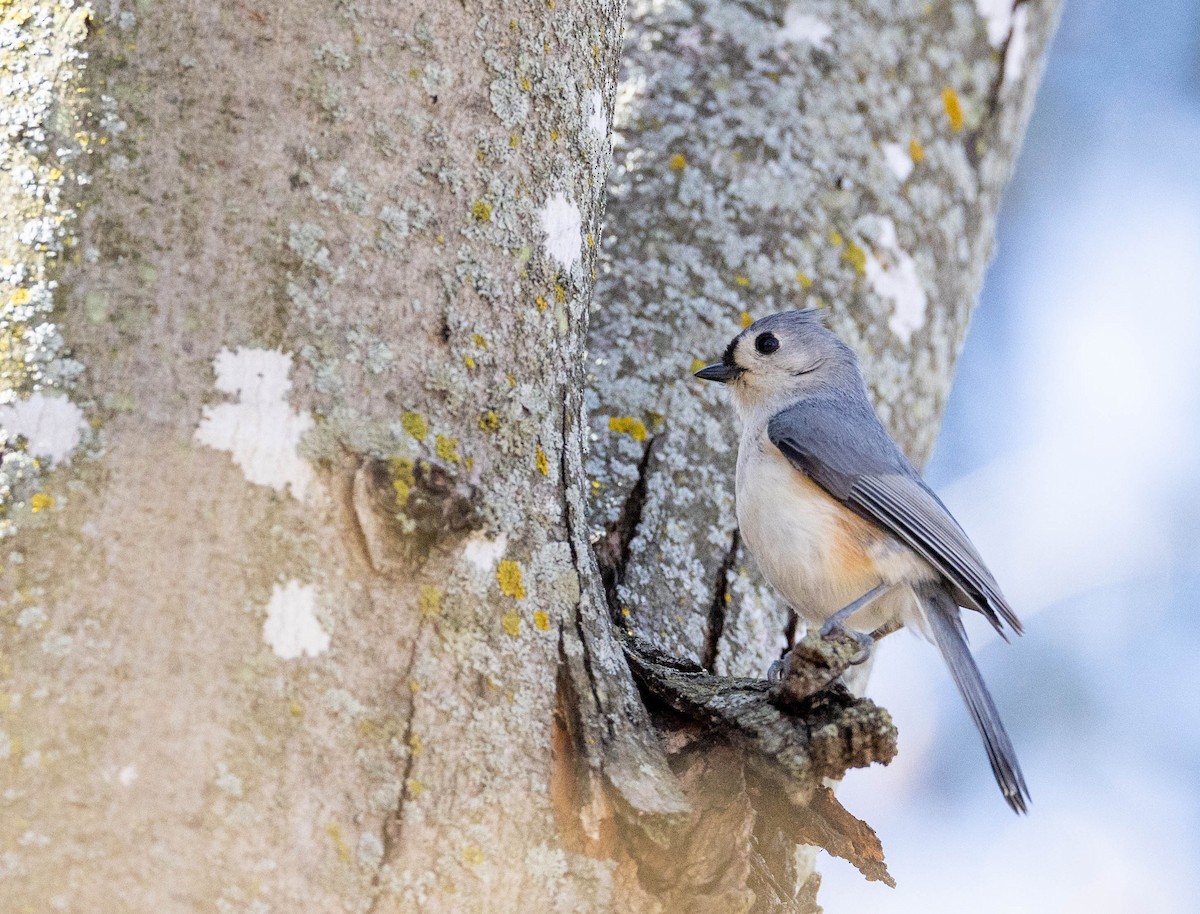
(261, 430)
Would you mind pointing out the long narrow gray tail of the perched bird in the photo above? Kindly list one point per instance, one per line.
(951, 638)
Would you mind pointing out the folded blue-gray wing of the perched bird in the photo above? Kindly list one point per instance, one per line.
(839, 443)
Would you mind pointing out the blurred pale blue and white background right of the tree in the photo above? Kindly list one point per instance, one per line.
(1070, 454)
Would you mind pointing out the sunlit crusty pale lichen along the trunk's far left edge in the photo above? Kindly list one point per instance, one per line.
(45, 146)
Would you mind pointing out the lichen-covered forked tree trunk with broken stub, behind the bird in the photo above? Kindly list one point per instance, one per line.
(302, 606)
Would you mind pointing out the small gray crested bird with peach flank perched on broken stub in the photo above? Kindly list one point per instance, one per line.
(838, 520)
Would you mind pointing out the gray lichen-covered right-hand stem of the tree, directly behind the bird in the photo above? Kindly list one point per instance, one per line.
(773, 155)
